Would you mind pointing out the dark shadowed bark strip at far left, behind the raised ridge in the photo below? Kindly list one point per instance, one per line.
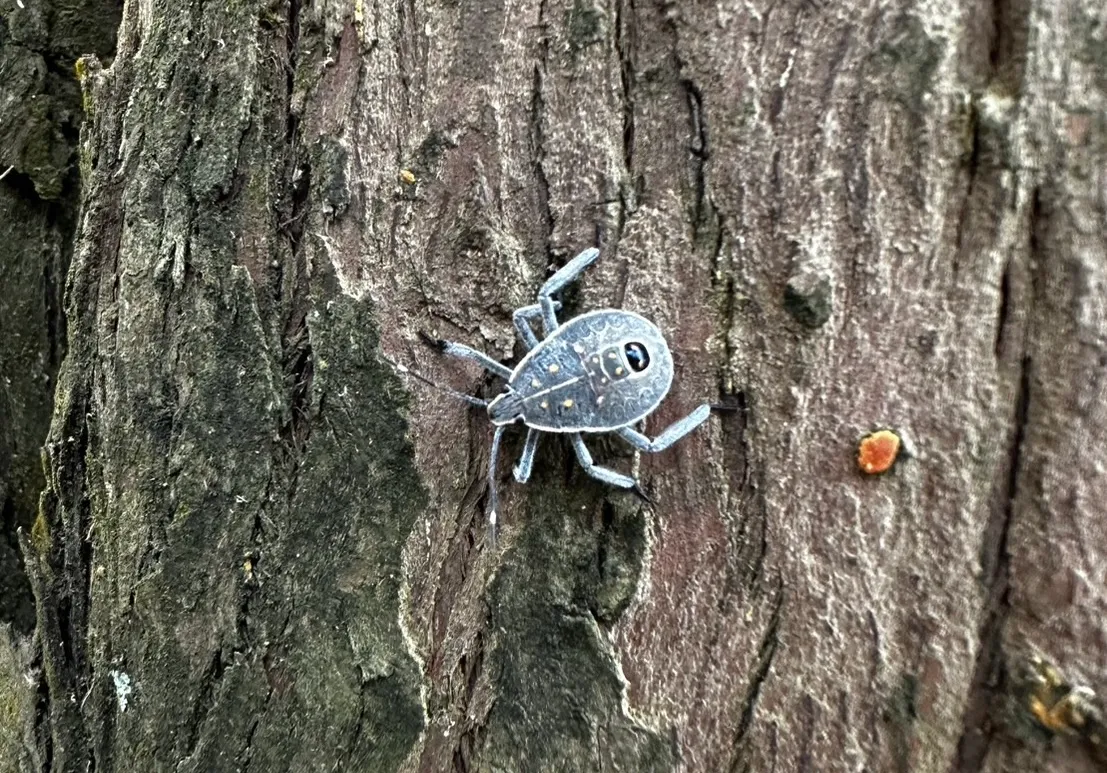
(40, 116)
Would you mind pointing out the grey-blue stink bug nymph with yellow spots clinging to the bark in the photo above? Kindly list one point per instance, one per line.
(603, 372)
